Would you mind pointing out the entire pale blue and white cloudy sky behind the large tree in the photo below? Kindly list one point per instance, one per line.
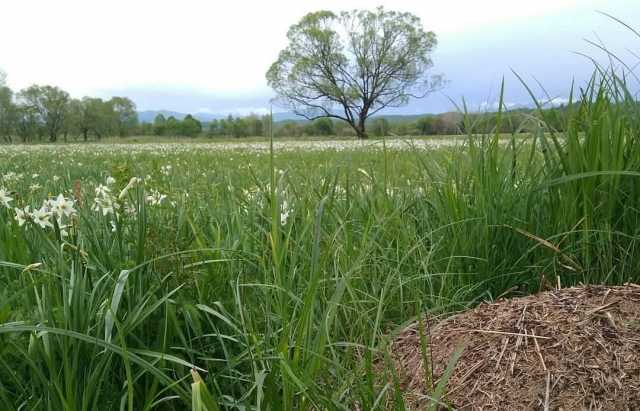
(212, 56)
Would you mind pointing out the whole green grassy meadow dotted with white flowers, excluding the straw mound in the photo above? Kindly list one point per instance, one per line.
(280, 271)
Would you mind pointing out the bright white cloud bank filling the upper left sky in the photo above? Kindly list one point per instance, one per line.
(226, 47)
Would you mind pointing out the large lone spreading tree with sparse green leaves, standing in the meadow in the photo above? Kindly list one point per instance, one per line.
(351, 65)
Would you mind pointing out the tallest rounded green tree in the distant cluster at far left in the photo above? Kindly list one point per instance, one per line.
(51, 104)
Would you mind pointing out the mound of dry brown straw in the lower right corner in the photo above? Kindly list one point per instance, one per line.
(571, 349)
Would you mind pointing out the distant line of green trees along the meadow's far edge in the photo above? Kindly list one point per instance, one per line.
(47, 113)
